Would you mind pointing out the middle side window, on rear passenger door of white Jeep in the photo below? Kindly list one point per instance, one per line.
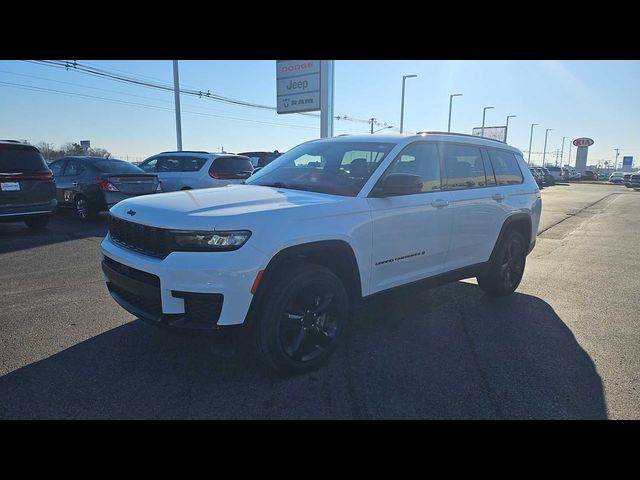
(464, 167)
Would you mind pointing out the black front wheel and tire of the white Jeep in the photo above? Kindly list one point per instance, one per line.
(289, 336)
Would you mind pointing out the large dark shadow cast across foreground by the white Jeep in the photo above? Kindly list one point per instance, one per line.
(450, 352)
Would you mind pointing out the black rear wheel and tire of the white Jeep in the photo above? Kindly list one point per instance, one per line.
(507, 268)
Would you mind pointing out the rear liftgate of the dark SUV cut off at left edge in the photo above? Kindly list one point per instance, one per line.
(25, 178)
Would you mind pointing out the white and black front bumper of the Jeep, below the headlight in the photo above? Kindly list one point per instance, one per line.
(186, 290)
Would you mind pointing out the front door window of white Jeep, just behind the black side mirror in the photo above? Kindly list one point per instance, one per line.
(420, 159)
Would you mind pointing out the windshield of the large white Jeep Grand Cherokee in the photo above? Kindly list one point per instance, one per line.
(337, 168)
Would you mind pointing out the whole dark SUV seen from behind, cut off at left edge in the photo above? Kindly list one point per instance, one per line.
(27, 188)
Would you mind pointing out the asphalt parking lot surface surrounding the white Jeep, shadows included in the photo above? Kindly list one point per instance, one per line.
(564, 346)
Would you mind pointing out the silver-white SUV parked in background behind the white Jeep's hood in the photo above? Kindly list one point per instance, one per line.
(186, 170)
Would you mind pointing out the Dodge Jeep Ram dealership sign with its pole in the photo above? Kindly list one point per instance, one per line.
(306, 86)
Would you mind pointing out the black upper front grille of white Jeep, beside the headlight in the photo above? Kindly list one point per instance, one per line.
(144, 239)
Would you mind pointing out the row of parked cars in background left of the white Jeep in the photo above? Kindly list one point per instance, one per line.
(31, 189)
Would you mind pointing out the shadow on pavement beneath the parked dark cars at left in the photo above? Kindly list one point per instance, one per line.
(64, 226)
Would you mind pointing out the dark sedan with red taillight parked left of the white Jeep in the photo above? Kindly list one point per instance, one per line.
(94, 184)
